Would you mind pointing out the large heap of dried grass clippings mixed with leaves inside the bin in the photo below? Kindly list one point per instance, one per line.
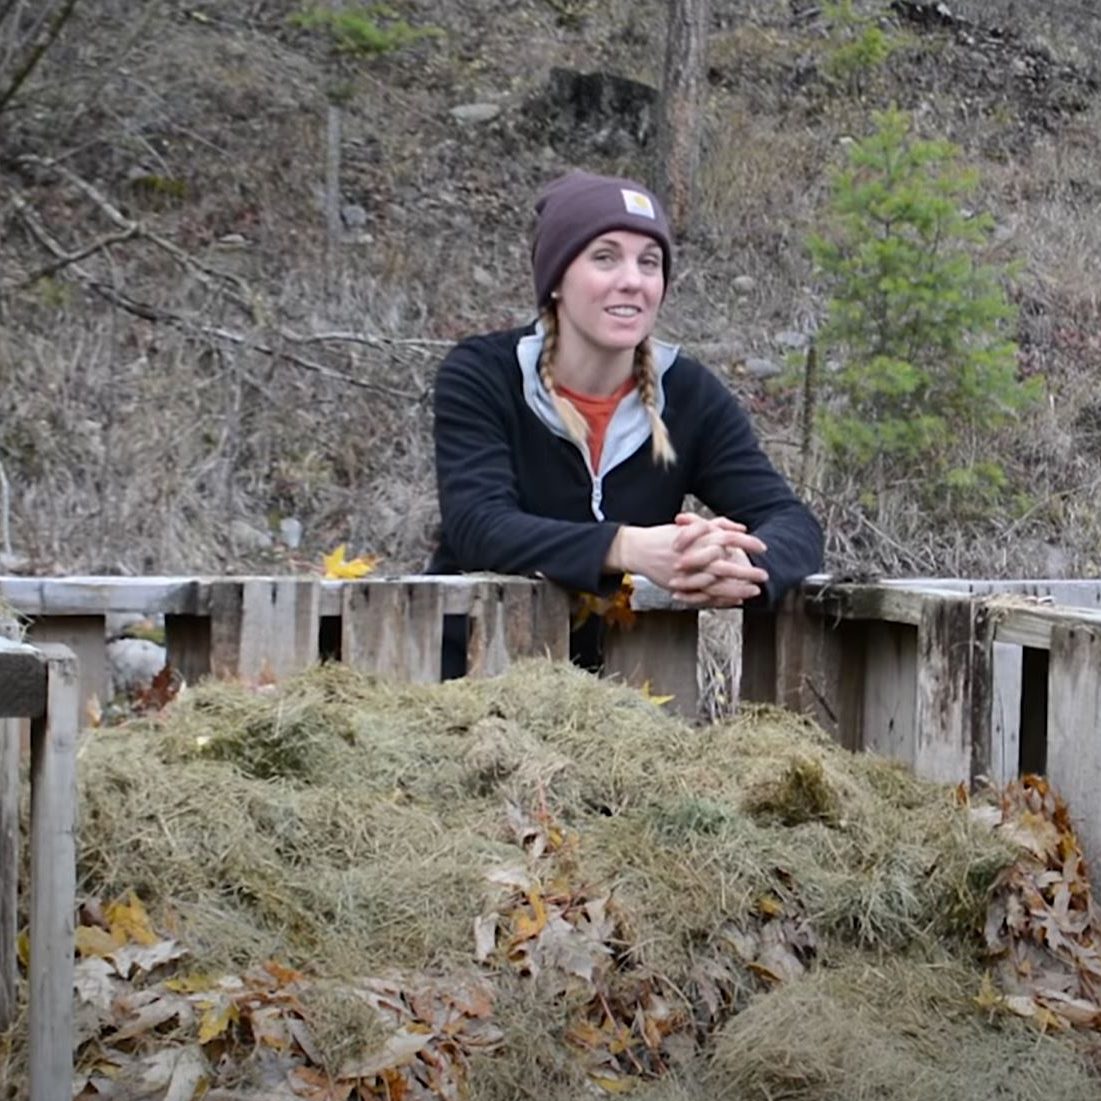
(572, 892)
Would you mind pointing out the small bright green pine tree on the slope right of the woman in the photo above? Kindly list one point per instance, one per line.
(922, 328)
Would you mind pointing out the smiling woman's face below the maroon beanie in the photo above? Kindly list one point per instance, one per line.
(611, 293)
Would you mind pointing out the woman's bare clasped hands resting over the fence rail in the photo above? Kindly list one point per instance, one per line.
(701, 561)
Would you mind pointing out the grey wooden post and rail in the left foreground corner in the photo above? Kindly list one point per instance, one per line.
(40, 684)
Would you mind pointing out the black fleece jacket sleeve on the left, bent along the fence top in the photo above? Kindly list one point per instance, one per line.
(484, 525)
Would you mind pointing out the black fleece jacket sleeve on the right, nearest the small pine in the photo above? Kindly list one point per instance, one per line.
(736, 478)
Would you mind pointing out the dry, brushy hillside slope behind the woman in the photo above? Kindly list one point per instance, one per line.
(212, 368)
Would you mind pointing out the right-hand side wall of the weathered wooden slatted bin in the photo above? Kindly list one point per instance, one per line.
(919, 673)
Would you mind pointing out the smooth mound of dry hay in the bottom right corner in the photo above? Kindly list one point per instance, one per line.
(885, 1028)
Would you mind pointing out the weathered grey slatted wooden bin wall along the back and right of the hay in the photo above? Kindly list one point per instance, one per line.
(962, 680)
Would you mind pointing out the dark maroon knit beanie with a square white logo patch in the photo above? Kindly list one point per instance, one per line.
(575, 209)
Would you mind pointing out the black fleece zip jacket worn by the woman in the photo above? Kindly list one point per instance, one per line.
(518, 498)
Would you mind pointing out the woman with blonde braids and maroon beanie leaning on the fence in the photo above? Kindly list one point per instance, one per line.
(566, 449)
